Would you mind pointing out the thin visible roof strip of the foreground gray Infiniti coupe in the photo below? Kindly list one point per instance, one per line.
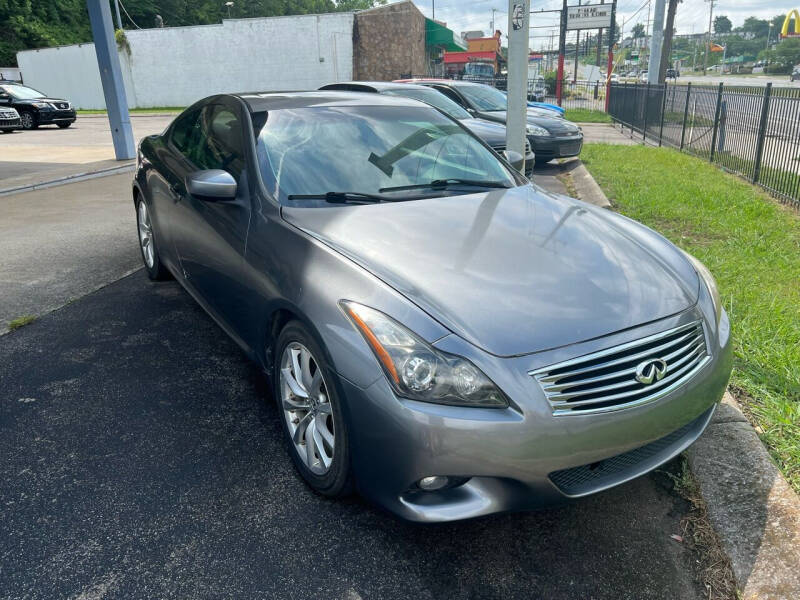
(265, 101)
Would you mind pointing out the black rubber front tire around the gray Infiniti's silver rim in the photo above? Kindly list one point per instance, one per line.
(337, 481)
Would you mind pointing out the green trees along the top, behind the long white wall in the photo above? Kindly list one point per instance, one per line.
(41, 23)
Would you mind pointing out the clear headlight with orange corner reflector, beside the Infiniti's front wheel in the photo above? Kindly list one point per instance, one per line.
(418, 371)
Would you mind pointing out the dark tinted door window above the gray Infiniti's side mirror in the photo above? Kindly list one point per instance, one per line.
(212, 139)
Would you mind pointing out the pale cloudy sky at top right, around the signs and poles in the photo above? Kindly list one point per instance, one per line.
(692, 16)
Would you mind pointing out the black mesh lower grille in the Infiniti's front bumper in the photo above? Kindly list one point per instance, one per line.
(585, 479)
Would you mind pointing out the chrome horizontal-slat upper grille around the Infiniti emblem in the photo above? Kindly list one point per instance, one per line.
(607, 380)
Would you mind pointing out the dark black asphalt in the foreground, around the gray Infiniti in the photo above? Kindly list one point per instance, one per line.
(143, 457)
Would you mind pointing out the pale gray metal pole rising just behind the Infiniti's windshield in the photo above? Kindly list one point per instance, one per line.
(516, 117)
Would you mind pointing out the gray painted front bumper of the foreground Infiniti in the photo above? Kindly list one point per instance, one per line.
(522, 457)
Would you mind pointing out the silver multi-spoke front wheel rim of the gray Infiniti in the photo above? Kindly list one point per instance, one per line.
(307, 408)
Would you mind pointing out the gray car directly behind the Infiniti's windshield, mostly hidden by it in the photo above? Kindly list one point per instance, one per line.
(494, 134)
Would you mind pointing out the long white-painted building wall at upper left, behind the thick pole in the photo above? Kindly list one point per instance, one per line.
(176, 66)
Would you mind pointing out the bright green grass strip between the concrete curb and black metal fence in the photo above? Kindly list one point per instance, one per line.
(752, 245)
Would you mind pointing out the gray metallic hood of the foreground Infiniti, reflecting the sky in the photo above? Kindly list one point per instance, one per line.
(512, 271)
